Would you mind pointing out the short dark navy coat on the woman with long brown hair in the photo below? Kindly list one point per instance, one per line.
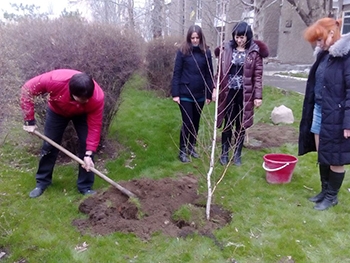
(192, 77)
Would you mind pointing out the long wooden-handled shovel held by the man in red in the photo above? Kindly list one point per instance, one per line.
(80, 161)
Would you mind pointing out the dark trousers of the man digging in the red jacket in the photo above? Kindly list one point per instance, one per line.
(54, 128)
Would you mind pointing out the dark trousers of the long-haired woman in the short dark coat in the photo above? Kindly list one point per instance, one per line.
(191, 115)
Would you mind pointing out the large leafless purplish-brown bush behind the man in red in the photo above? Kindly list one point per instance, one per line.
(31, 47)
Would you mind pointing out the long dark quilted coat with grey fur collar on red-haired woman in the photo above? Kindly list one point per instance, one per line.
(334, 149)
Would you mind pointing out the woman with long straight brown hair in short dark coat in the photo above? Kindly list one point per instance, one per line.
(192, 87)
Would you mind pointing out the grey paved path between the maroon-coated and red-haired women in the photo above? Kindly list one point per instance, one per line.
(271, 77)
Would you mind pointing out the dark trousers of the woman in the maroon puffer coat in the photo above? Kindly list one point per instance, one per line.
(234, 116)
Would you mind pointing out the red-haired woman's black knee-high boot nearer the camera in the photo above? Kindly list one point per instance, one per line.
(331, 197)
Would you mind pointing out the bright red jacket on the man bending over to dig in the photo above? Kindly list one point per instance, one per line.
(56, 84)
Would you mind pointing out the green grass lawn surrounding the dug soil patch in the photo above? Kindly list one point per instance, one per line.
(270, 222)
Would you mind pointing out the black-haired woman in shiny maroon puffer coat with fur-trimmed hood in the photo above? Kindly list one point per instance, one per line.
(240, 87)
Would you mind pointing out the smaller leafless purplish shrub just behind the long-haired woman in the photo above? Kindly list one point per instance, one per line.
(160, 58)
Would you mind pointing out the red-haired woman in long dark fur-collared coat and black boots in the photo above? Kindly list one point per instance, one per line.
(325, 123)
